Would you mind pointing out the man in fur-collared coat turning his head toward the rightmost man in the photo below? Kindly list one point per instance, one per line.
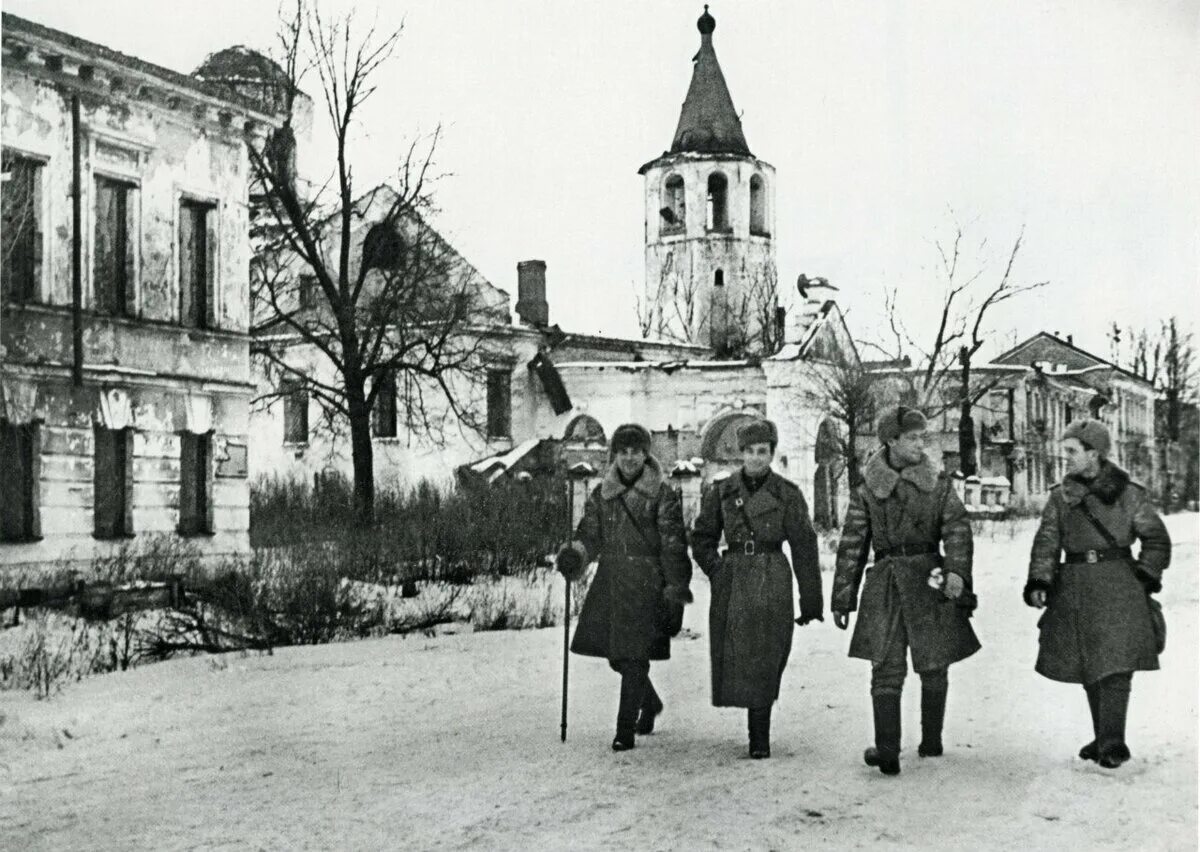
(917, 595)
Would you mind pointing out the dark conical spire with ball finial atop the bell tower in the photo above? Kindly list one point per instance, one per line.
(709, 124)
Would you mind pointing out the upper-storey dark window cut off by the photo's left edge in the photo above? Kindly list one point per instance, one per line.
(21, 232)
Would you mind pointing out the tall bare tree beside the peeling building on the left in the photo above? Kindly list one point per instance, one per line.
(386, 304)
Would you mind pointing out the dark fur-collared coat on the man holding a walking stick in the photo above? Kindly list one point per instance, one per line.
(641, 551)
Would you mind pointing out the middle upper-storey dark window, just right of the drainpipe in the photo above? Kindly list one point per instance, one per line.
(113, 256)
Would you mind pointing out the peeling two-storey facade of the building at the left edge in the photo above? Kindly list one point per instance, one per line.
(125, 311)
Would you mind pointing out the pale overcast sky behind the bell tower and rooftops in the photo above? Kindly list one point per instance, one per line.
(1079, 121)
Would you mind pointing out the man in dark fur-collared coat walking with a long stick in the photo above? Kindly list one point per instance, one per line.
(633, 524)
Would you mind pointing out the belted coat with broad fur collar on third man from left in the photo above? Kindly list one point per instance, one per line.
(892, 508)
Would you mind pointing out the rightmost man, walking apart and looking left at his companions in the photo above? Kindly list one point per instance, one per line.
(1097, 629)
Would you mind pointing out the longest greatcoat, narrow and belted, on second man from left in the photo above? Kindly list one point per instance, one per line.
(751, 615)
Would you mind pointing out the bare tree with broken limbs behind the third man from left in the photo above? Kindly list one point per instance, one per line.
(961, 333)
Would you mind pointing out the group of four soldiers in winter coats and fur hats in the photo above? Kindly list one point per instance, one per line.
(1099, 628)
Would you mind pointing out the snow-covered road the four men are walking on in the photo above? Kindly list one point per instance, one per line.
(452, 742)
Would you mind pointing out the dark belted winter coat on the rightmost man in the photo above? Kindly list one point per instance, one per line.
(1097, 620)
